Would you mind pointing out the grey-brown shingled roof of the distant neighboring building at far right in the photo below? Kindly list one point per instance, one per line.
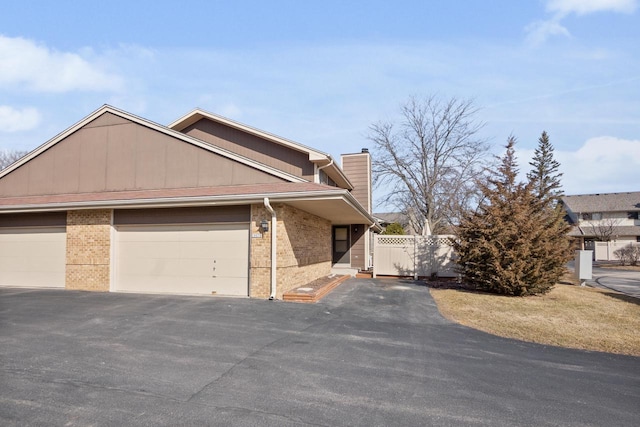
(606, 202)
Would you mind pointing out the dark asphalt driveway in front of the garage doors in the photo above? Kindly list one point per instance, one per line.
(373, 352)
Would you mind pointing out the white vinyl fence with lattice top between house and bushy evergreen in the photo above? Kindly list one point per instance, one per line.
(415, 256)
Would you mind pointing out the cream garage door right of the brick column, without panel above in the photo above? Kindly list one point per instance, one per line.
(183, 259)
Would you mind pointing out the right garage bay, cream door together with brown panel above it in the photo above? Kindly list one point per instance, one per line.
(175, 251)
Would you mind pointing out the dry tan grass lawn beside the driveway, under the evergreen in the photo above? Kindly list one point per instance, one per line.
(568, 316)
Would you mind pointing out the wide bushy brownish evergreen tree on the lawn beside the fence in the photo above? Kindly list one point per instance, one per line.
(514, 243)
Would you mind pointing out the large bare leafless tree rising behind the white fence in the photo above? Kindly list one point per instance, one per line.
(428, 162)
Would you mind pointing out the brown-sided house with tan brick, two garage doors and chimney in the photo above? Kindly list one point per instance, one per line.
(119, 203)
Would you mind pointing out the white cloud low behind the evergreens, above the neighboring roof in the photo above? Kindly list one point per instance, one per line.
(604, 164)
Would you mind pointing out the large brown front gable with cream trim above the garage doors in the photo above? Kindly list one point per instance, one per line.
(111, 150)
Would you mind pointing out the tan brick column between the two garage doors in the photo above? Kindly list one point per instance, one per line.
(88, 250)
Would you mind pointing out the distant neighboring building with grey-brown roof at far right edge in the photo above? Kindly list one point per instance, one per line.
(602, 217)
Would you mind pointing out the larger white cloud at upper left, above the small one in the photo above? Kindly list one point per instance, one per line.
(39, 68)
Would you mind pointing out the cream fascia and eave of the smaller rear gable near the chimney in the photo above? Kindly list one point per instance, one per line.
(320, 158)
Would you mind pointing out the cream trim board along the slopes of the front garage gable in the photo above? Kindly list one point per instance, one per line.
(155, 126)
